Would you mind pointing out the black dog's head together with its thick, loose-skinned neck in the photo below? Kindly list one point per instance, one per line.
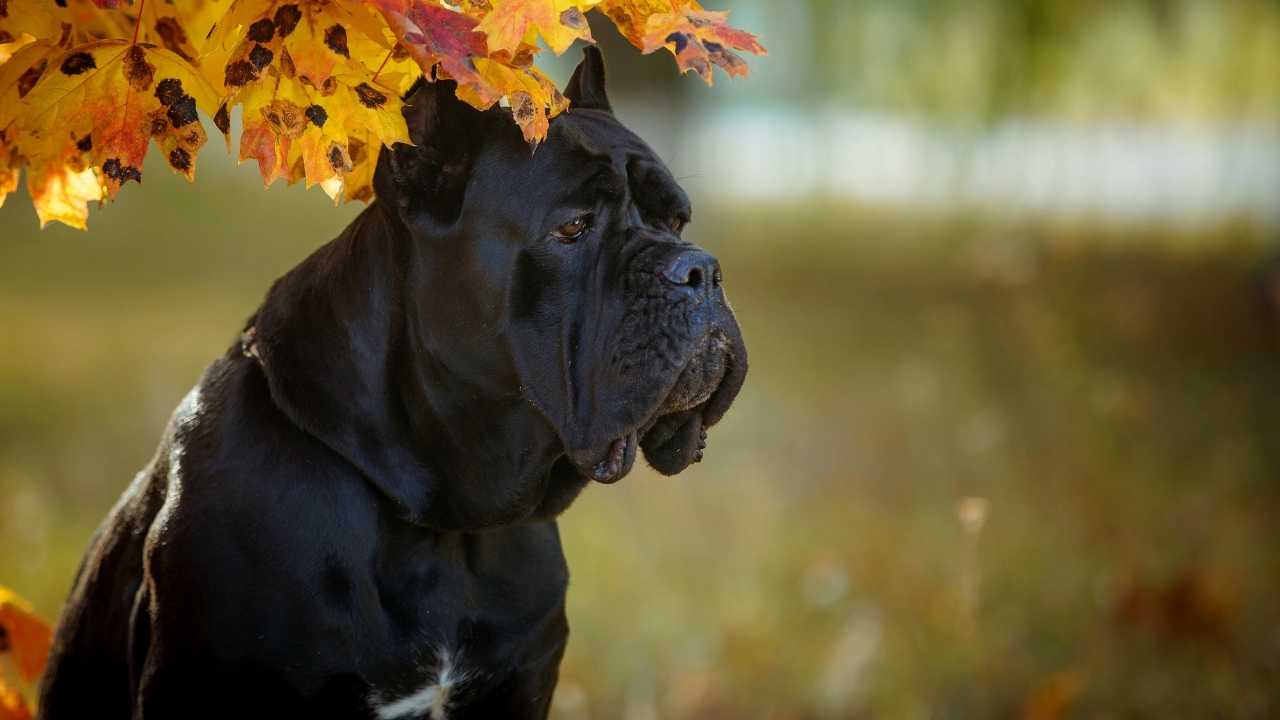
(550, 297)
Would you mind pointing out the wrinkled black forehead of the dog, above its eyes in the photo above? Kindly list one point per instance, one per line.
(593, 149)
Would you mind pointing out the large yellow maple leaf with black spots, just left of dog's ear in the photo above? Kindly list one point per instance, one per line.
(313, 110)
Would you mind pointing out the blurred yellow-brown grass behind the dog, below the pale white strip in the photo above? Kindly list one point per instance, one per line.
(1108, 394)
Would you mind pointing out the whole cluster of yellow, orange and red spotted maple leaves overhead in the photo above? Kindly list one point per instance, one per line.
(88, 86)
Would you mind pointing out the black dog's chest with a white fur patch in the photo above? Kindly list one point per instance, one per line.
(469, 621)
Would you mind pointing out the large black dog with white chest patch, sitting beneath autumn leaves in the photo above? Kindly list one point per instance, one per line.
(354, 513)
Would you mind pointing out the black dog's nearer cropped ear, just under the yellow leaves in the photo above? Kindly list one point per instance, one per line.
(428, 180)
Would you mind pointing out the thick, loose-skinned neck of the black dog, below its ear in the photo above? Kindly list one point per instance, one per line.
(349, 354)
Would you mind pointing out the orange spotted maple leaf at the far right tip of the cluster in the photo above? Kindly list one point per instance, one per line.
(700, 40)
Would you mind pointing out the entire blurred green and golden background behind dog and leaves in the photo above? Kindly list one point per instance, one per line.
(1008, 450)
